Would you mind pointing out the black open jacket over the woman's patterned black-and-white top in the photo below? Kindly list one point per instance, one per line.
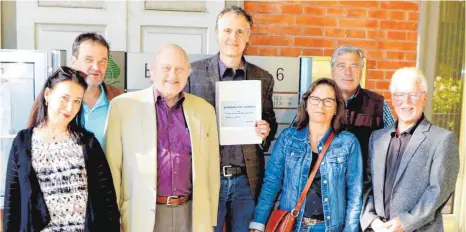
(25, 207)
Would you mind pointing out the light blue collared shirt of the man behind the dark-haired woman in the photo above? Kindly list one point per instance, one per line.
(94, 119)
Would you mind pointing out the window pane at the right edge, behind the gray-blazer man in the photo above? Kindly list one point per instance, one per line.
(449, 71)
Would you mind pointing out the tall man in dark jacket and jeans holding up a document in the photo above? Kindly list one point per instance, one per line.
(242, 166)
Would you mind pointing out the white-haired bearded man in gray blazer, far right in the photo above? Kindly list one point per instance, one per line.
(413, 166)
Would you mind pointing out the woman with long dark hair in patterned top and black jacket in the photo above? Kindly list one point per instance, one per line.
(57, 177)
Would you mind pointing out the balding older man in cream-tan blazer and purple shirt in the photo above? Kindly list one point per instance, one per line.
(162, 148)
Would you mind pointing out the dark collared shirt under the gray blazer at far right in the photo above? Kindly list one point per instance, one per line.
(398, 144)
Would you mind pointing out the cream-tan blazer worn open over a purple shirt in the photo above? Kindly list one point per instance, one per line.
(131, 150)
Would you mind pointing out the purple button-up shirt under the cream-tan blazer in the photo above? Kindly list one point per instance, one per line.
(173, 148)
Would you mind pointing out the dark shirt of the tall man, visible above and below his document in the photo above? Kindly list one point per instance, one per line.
(231, 154)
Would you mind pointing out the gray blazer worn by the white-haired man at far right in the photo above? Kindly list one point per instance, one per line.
(425, 180)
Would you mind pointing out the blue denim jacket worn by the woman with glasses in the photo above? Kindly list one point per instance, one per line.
(288, 170)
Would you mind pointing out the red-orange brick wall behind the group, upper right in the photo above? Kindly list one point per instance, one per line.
(385, 30)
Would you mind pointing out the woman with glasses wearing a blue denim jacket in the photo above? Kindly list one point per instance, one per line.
(334, 200)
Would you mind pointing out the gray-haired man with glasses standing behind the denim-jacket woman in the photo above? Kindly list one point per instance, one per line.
(365, 111)
